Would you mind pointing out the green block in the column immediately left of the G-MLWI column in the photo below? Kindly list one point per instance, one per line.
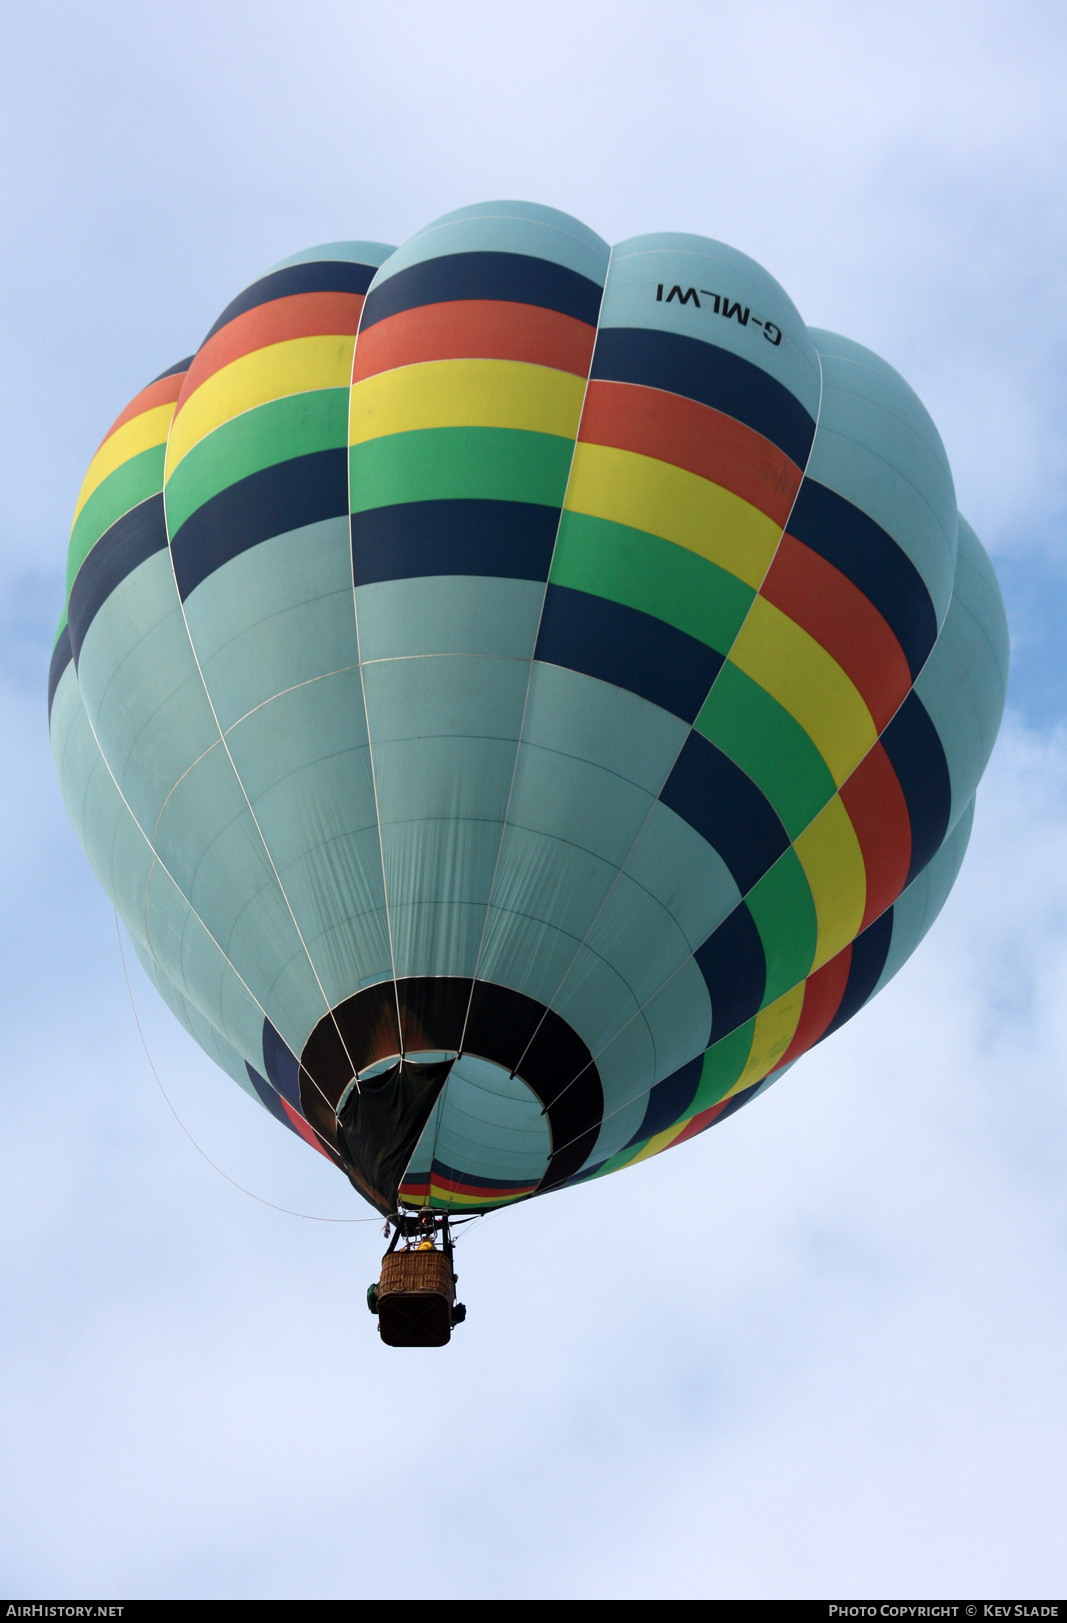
(441, 465)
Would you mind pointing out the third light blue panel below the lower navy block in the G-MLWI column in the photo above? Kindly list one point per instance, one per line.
(545, 877)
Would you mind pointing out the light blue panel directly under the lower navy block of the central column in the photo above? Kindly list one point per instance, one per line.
(449, 614)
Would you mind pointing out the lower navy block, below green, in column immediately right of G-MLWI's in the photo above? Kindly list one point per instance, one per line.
(727, 809)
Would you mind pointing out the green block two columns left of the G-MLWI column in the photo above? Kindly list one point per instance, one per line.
(296, 426)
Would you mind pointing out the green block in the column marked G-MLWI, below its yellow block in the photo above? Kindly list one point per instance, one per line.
(654, 575)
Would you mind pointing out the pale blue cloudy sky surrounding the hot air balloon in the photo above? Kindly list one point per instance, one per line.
(814, 1353)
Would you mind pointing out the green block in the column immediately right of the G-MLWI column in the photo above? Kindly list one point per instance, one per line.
(767, 744)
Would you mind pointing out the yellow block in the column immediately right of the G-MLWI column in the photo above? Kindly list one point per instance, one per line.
(806, 681)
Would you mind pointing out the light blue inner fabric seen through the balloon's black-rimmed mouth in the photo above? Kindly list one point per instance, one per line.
(491, 1126)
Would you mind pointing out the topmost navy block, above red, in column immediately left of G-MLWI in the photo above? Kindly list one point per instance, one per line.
(517, 278)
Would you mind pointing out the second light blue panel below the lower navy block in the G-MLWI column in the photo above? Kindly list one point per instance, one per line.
(577, 803)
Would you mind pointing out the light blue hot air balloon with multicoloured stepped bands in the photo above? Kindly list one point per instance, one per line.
(521, 695)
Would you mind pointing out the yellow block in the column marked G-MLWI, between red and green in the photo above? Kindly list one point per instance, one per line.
(675, 504)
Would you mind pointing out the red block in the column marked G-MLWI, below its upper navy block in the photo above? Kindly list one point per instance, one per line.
(696, 437)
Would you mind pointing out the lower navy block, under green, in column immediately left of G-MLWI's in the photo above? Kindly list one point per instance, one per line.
(408, 540)
